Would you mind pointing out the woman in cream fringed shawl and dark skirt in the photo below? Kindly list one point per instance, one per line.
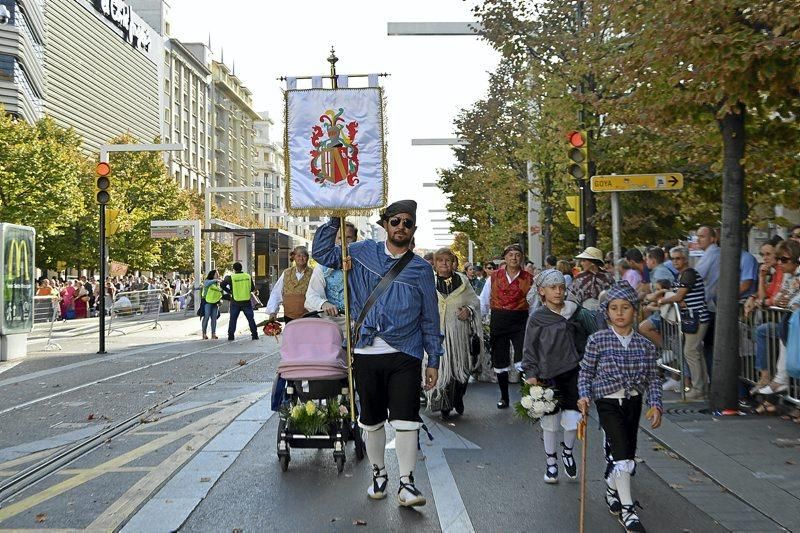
(459, 315)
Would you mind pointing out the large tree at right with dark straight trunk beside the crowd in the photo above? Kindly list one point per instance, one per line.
(736, 62)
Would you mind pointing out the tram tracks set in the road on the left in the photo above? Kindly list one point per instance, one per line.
(61, 458)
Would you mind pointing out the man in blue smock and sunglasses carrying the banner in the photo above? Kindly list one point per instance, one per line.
(401, 324)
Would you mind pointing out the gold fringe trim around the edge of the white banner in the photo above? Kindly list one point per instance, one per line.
(333, 211)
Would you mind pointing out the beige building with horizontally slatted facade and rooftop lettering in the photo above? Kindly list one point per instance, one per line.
(103, 71)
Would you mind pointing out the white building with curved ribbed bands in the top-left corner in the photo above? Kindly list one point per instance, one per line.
(22, 73)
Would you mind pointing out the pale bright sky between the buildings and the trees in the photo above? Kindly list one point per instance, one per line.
(431, 78)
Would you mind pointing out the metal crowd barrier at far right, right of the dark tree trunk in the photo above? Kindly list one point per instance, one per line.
(768, 325)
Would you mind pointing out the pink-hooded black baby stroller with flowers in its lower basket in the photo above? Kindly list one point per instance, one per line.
(314, 367)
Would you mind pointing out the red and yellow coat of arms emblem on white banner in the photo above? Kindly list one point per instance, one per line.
(334, 158)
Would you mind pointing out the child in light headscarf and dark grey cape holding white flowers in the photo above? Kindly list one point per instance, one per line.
(555, 338)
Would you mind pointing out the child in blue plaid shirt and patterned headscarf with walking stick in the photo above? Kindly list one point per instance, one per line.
(618, 368)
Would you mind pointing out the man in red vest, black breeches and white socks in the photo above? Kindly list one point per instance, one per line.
(507, 295)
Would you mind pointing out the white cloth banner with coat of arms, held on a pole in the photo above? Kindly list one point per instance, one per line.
(335, 150)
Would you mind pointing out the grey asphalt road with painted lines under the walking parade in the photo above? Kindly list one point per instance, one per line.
(207, 461)
